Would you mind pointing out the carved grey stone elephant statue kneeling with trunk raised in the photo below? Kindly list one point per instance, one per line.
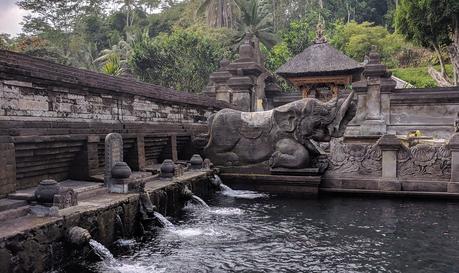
(283, 137)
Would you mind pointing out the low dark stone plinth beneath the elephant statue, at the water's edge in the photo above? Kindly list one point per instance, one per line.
(288, 185)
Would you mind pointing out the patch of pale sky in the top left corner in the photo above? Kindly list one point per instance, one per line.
(10, 17)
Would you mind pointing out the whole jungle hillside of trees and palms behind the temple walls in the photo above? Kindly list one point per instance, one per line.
(179, 43)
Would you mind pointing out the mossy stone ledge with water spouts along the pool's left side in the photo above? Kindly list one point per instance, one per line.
(37, 244)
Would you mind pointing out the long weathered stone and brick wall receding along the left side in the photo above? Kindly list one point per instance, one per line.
(54, 118)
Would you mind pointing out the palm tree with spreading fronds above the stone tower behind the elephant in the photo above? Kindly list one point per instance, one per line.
(255, 26)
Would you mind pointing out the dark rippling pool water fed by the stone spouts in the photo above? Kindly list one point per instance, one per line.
(288, 235)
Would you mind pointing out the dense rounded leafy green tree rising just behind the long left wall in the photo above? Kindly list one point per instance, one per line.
(182, 60)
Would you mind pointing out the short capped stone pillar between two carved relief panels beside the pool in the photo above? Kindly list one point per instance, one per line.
(389, 145)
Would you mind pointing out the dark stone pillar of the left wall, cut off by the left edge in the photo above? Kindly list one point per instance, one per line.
(7, 167)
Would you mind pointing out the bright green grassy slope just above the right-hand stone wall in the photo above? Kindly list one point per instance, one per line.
(418, 76)
